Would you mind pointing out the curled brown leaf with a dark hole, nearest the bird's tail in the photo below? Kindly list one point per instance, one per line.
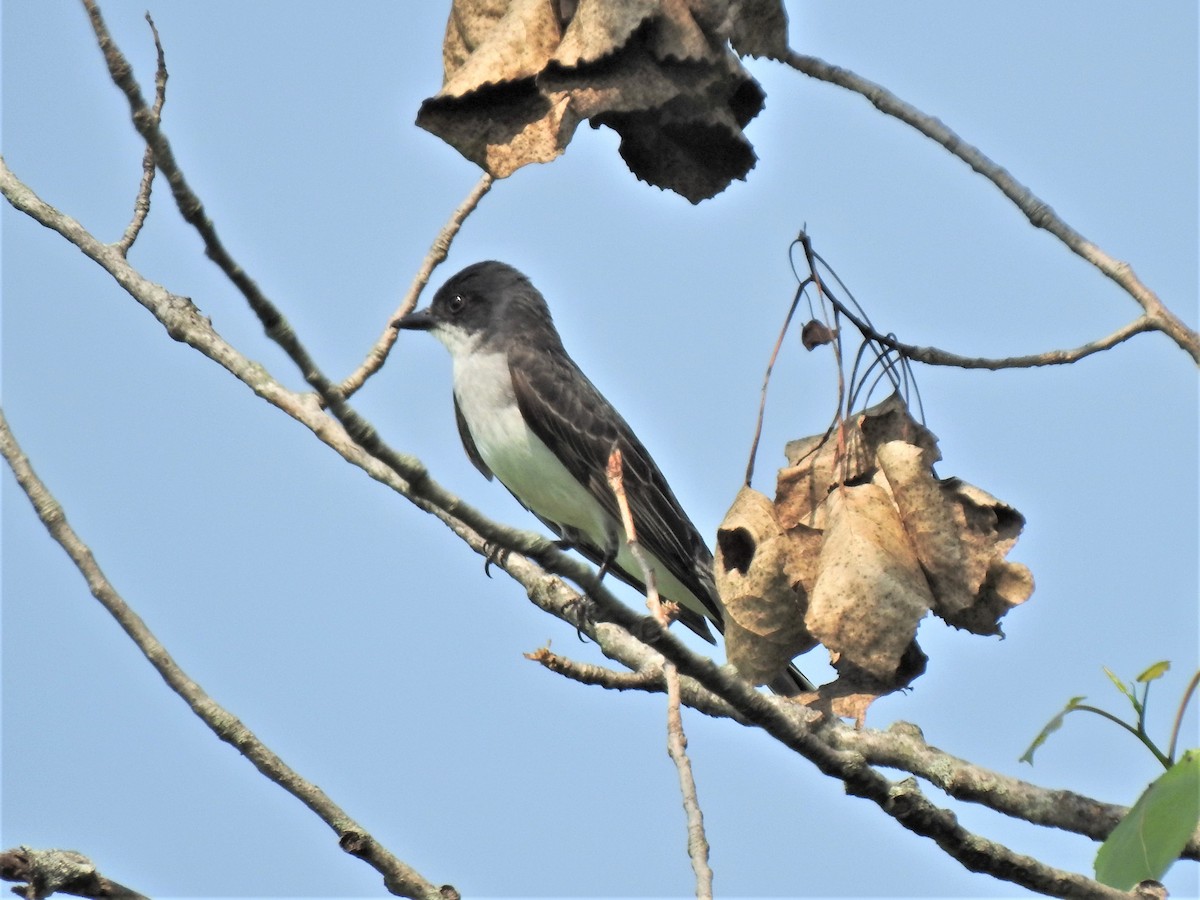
(764, 577)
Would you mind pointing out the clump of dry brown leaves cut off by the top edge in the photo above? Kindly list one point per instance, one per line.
(521, 75)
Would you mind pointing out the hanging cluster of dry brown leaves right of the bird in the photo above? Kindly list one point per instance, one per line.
(861, 542)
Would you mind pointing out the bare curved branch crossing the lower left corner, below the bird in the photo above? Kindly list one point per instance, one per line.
(399, 878)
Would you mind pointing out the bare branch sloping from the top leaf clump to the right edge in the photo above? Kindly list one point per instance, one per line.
(1040, 214)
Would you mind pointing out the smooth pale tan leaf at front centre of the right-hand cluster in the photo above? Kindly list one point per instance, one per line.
(871, 591)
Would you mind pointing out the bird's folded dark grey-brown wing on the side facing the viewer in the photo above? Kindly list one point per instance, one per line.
(581, 429)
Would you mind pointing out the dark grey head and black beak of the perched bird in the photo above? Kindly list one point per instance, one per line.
(485, 304)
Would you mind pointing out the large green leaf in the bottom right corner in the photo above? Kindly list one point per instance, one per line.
(1155, 832)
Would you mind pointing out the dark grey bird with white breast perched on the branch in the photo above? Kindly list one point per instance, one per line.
(529, 417)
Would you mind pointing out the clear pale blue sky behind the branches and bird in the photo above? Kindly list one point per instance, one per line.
(361, 640)
